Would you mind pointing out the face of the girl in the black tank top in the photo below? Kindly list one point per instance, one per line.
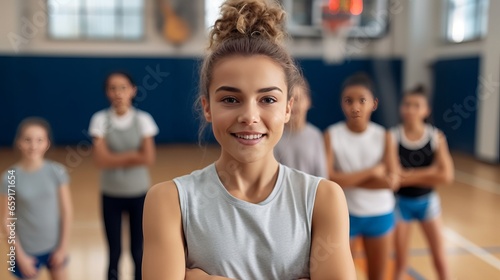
(414, 109)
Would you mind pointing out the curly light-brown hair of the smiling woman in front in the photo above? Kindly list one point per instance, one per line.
(247, 28)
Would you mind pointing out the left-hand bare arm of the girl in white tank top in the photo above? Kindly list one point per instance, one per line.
(344, 179)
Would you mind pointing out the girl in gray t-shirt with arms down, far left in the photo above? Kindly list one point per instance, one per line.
(35, 192)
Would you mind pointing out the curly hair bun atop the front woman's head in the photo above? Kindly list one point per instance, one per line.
(248, 19)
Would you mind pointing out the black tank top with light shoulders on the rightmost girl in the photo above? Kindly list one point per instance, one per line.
(414, 154)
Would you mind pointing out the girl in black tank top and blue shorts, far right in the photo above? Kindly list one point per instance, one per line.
(426, 163)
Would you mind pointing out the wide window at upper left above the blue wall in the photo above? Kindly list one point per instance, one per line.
(96, 19)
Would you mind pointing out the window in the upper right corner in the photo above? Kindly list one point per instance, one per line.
(467, 20)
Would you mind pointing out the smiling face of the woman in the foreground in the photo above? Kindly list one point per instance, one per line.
(248, 106)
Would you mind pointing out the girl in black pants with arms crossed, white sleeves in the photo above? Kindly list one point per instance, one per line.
(123, 148)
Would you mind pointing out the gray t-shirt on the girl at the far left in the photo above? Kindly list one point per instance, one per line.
(37, 205)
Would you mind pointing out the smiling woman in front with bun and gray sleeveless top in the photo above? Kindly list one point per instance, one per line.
(246, 216)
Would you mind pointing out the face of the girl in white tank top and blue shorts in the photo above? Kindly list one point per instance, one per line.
(358, 103)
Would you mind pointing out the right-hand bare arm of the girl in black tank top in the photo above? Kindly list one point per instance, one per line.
(440, 172)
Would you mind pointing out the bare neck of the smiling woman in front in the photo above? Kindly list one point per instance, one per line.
(252, 182)
